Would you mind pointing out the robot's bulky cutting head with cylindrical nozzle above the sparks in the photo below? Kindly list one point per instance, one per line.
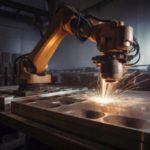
(115, 42)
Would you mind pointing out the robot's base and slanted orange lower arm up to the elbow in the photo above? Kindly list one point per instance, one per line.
(31, 68)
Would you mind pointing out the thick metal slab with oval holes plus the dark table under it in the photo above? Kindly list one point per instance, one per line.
(62, 123)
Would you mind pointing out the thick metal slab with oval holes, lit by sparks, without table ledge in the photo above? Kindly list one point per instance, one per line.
(126, 124)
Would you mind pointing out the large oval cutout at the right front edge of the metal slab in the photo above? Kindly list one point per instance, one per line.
(128, 122)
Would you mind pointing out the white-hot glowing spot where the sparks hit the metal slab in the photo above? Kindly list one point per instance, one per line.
(101, 100)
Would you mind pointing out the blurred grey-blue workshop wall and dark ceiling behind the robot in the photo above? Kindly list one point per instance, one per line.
(24, 22)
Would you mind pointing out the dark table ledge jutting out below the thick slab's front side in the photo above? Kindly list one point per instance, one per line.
(49, 135)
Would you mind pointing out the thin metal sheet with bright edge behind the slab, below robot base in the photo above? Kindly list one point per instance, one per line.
(9, 93)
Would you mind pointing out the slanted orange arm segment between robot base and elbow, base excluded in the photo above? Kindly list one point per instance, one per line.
(57, 30)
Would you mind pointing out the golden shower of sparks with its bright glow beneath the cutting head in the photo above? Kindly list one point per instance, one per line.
(110, 93)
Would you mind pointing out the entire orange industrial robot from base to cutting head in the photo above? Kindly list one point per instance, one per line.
(114, 40)
